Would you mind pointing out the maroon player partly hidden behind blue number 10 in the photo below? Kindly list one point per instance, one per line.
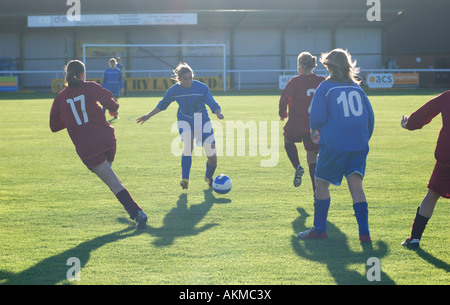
(297, 95)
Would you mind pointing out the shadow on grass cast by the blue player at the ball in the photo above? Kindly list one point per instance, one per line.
(183, 219)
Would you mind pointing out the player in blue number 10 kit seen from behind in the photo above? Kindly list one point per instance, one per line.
(342, 112)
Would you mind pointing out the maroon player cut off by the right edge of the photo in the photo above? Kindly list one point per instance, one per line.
(439, 183)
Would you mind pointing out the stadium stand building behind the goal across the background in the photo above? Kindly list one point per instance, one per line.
(254, 43)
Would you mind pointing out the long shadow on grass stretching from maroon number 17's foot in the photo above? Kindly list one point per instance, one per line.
(53, 269)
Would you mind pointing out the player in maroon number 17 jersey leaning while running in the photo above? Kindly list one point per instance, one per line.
(76, 109)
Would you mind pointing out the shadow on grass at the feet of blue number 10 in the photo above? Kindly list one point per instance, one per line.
(335, 253)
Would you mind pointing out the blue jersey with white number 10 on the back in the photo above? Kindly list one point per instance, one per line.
(343, 114)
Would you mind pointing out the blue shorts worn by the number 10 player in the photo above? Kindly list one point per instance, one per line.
(333, 165)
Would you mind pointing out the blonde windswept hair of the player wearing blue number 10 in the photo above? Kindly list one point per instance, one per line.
(341, 66)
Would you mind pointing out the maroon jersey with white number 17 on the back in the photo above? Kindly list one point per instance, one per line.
(76, 109)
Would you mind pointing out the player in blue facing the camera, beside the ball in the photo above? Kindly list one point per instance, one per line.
(193, 121)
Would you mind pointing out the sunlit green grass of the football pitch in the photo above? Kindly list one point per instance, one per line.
(52, 208)
